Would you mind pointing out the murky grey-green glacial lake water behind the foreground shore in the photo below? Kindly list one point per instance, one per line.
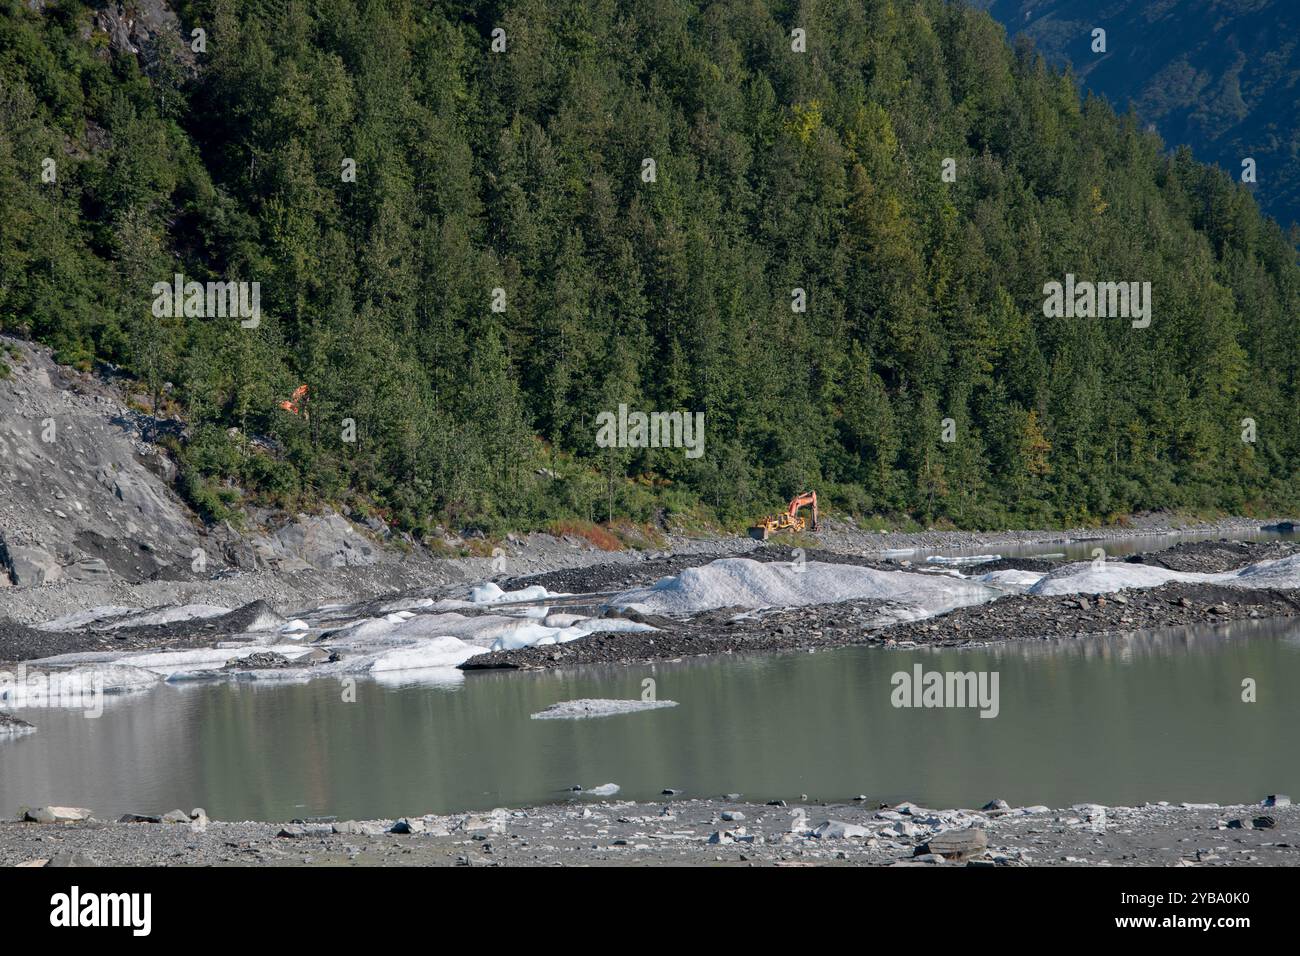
(1154, 716)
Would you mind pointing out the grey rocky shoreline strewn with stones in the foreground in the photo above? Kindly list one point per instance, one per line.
(681, 832)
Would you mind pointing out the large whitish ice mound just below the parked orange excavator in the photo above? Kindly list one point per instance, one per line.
(744, 583)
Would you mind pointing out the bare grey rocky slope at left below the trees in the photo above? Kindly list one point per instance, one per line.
(86, 494)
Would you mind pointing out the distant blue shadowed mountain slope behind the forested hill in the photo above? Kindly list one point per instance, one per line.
(1220, 76)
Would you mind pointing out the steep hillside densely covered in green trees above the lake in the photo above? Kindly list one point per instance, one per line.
(525, 171)
